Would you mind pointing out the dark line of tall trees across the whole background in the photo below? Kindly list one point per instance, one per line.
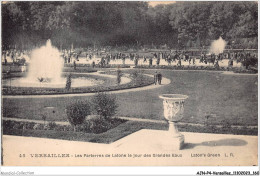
(120, 23)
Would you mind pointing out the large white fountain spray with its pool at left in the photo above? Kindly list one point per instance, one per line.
(45, 71)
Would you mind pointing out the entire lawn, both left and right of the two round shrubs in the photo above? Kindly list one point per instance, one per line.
(214, 98)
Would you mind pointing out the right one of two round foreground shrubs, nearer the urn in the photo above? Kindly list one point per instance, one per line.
(104, 104)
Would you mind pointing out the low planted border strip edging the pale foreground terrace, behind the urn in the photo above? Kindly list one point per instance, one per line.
(117, 132)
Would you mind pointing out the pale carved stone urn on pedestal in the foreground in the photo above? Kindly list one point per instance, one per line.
(173, 105)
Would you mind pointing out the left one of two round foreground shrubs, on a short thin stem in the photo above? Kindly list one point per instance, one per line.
(77, 112)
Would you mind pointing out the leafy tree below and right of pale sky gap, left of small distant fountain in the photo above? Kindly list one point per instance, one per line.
(190, 19)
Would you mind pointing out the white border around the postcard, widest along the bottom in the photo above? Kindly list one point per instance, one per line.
(86, 170)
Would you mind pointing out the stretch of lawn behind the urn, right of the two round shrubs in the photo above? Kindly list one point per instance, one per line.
(213, 97)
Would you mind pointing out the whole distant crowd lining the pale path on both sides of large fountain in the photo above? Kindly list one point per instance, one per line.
(106, 56)
